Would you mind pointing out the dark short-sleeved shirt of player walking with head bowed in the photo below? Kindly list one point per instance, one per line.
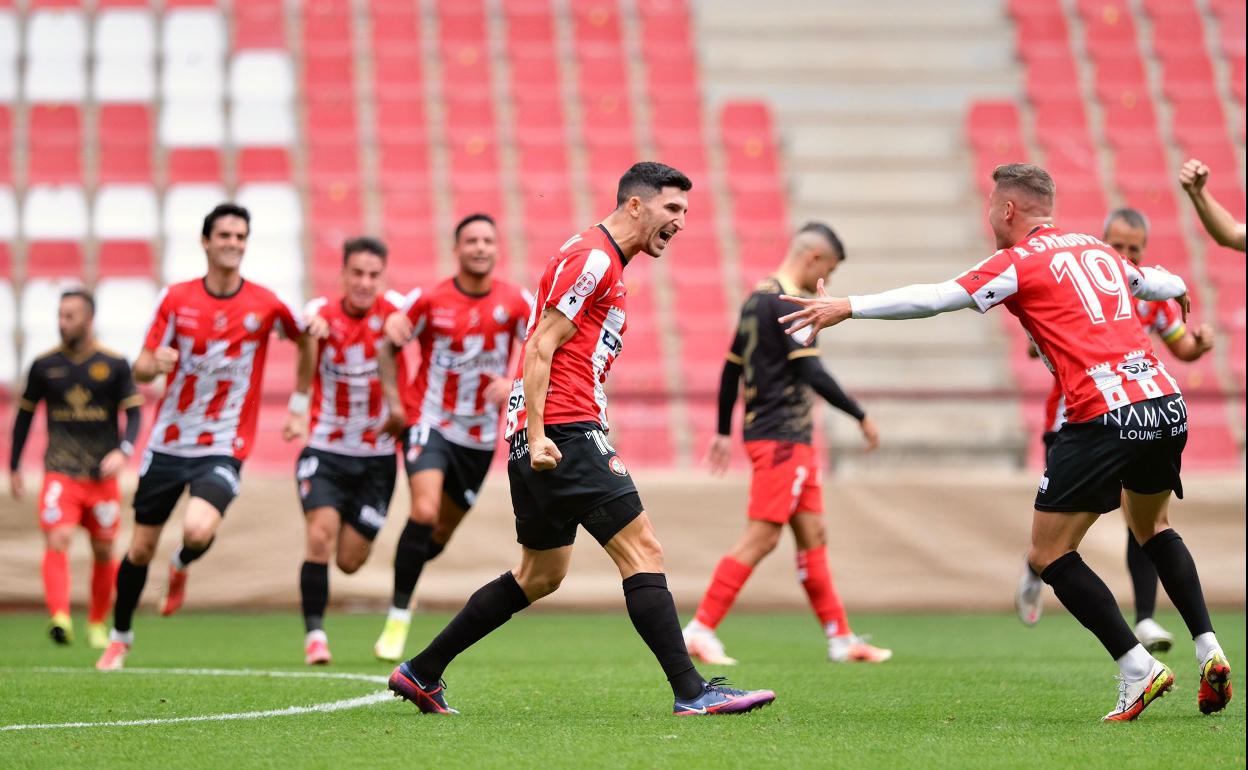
(778, 402)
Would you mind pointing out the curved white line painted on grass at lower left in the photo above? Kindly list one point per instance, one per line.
(321, 708)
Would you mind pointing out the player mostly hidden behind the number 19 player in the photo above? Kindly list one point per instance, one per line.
(1126, 230)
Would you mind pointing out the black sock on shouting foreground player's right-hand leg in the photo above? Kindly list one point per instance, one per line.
(655, 617)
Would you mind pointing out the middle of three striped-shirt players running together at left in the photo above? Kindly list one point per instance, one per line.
(346, 474)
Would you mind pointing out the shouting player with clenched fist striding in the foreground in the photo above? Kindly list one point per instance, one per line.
(562, 469)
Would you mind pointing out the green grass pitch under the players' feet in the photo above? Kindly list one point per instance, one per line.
(581, 691)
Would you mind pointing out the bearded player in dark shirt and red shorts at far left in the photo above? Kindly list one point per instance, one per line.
(84, 386)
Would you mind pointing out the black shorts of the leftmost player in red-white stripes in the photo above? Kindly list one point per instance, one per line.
(163, 479)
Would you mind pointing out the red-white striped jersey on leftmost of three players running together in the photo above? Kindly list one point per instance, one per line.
(212, 397)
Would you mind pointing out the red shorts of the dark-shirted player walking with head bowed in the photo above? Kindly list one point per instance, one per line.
(786, 481)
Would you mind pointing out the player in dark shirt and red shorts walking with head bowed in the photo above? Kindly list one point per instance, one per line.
(779, 376)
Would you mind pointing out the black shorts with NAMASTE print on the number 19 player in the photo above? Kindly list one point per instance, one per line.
(1139, 447)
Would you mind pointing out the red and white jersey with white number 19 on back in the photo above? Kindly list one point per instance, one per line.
(1073, 295)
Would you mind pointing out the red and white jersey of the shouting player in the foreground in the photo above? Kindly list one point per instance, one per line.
(586, 283)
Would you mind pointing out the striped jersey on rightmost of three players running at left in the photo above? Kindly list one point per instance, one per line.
(466, 343)
